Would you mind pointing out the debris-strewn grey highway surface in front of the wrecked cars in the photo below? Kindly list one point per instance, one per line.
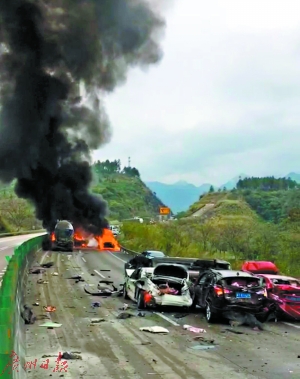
(116, 348)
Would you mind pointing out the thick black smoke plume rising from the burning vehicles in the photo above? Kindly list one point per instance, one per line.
(48, 48)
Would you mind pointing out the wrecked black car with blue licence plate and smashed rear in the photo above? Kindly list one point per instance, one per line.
(220, 291)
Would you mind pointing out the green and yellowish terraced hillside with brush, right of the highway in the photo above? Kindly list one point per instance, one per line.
(261, 222)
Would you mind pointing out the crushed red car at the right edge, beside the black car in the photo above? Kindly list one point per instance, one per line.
(284, 290)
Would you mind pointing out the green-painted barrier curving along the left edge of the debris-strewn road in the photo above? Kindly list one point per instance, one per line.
(9, 311)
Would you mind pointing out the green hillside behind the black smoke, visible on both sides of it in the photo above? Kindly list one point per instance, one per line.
(123, 189)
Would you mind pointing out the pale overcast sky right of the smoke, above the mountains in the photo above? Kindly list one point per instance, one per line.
(224, 100)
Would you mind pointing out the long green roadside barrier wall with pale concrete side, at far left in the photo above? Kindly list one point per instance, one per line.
(12, 326)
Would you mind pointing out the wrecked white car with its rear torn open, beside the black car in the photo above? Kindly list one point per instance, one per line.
(163, 285)
